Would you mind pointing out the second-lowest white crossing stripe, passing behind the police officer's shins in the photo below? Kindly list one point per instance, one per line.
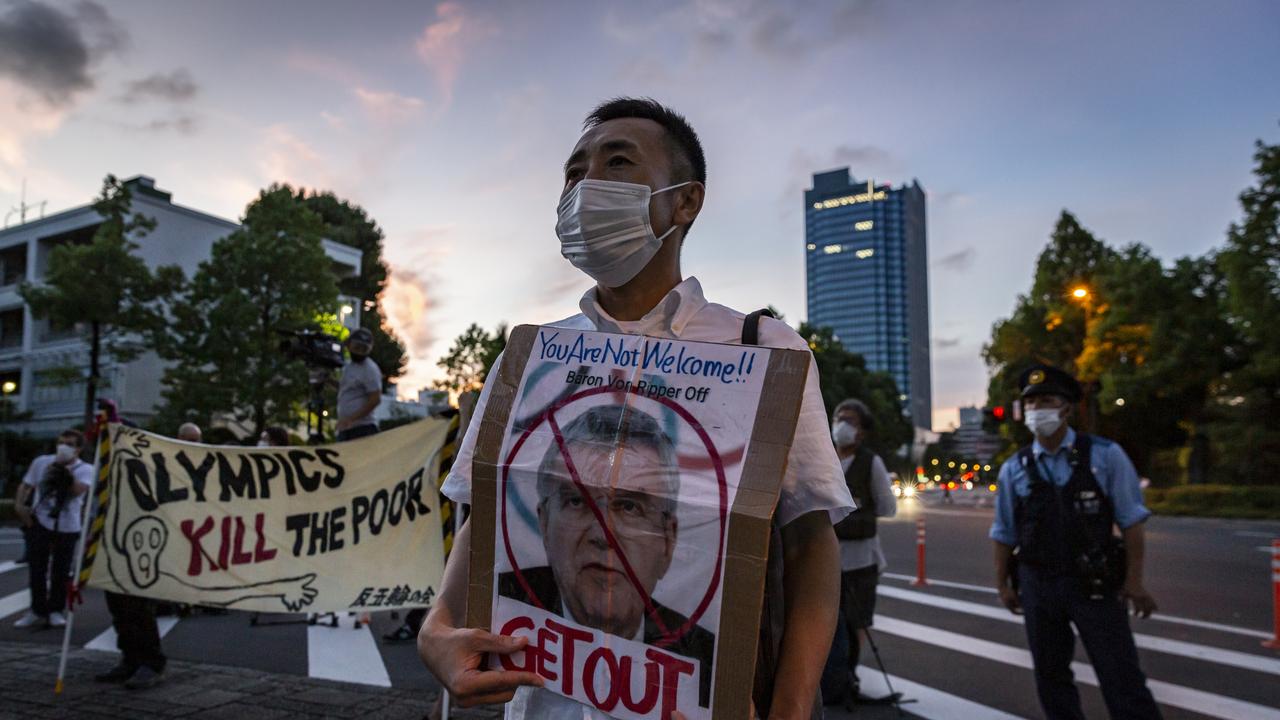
(1165, 694)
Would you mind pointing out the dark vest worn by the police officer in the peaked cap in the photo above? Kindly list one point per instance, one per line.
(1069, 531)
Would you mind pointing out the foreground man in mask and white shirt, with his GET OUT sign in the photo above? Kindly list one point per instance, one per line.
(624, 470)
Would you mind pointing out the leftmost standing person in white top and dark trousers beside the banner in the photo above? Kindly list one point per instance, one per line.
(57, 486)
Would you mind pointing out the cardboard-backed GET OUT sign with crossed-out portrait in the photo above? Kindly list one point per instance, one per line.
(623, 491)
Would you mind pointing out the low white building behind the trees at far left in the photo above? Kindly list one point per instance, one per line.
(31, 352)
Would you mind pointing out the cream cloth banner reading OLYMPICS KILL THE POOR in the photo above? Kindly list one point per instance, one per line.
(353, 526)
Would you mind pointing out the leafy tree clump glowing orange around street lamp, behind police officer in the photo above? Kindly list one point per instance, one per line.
(1142, 339)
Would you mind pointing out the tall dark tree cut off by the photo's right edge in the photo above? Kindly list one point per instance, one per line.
(1249, 400)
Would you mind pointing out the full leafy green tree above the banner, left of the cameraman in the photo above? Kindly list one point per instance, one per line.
(269, 276)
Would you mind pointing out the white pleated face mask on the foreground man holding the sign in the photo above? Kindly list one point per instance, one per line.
(605, 230)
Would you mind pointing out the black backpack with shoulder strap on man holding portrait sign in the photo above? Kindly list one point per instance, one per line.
(774, 618)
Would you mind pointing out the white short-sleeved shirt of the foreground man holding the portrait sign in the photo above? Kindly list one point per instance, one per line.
(815, 479)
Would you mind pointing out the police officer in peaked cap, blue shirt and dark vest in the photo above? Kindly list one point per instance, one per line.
(1059, 559)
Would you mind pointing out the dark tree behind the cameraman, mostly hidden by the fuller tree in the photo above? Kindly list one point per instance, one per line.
(350, 225)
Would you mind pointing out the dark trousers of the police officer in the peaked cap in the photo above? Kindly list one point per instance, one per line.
(1052, 607)
